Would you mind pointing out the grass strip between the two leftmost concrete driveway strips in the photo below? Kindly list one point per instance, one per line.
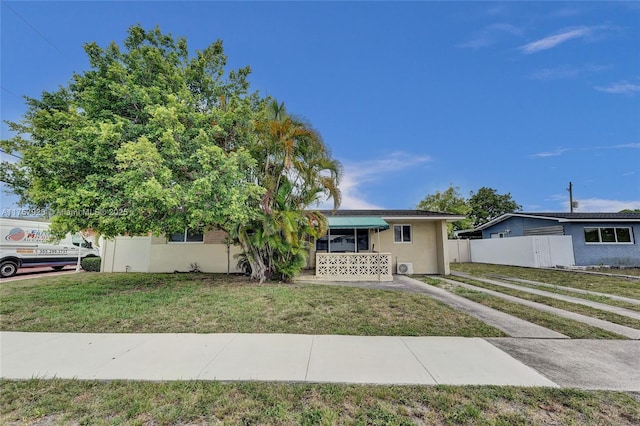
(568, 327)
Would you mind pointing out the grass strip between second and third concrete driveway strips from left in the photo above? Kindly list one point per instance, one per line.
(560, 304)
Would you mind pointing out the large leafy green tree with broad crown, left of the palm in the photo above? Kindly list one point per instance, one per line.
(149, 139)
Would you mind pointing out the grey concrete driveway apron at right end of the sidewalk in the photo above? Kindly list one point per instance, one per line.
(584, 364)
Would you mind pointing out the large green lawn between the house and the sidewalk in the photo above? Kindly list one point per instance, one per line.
(206, 303)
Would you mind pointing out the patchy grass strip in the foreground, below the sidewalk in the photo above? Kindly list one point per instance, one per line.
(52, 402)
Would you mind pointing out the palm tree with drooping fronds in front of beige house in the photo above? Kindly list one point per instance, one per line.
(296, 169)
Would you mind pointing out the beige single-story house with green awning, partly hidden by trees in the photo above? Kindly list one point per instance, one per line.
(414, 239)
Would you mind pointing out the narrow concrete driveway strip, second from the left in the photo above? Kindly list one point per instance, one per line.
(631, 333)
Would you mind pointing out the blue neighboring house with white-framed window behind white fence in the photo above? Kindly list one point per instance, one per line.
(597, 238)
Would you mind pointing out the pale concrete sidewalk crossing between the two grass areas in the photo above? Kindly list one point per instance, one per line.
(264, 357)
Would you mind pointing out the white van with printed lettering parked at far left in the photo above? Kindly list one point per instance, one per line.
(28, 244)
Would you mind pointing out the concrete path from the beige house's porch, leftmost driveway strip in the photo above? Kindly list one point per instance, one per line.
(512, 326)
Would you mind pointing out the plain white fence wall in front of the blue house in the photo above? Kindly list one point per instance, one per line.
(531, 251)
